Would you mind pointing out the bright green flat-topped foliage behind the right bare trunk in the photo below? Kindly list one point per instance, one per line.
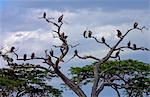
(130, 71)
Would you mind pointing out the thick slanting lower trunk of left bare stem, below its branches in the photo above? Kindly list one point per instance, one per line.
(70, 84)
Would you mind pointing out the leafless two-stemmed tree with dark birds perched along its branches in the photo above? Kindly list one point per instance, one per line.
(53, 60)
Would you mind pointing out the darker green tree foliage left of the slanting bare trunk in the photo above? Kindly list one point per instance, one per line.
(27, 79)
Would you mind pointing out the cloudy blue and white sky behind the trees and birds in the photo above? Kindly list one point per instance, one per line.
(21, 27)
